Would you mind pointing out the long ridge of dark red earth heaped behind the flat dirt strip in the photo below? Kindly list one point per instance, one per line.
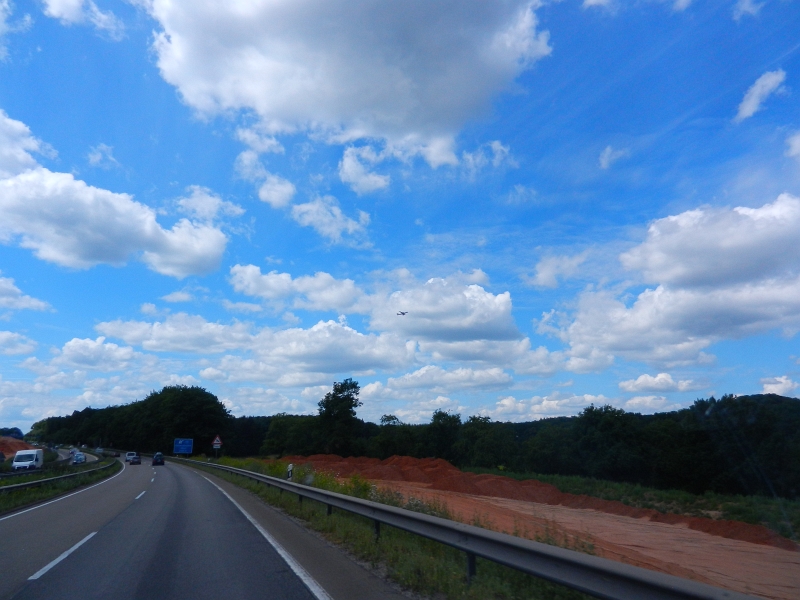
(440, 475)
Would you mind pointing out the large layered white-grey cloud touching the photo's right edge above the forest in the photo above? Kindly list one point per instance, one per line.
(720, 274)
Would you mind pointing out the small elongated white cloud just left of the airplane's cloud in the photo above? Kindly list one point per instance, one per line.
(318, 292)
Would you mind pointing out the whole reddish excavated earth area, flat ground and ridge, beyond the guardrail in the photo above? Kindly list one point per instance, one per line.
(738, 556)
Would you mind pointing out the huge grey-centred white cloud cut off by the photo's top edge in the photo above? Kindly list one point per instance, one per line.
(410, 75)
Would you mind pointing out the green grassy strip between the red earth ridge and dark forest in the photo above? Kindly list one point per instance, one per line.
(778, 514)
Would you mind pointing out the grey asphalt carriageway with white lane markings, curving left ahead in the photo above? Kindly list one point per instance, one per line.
(170, 532)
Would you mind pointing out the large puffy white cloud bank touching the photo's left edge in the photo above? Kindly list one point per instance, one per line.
(70, 223)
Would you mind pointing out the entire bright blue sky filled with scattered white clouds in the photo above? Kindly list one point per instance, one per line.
(573, 203)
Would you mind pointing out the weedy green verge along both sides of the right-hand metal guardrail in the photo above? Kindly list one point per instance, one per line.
(417, 564)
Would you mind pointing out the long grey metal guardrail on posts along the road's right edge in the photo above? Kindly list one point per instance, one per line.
(590, 574)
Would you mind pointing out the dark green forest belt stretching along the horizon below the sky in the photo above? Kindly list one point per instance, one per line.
(735, 444)
